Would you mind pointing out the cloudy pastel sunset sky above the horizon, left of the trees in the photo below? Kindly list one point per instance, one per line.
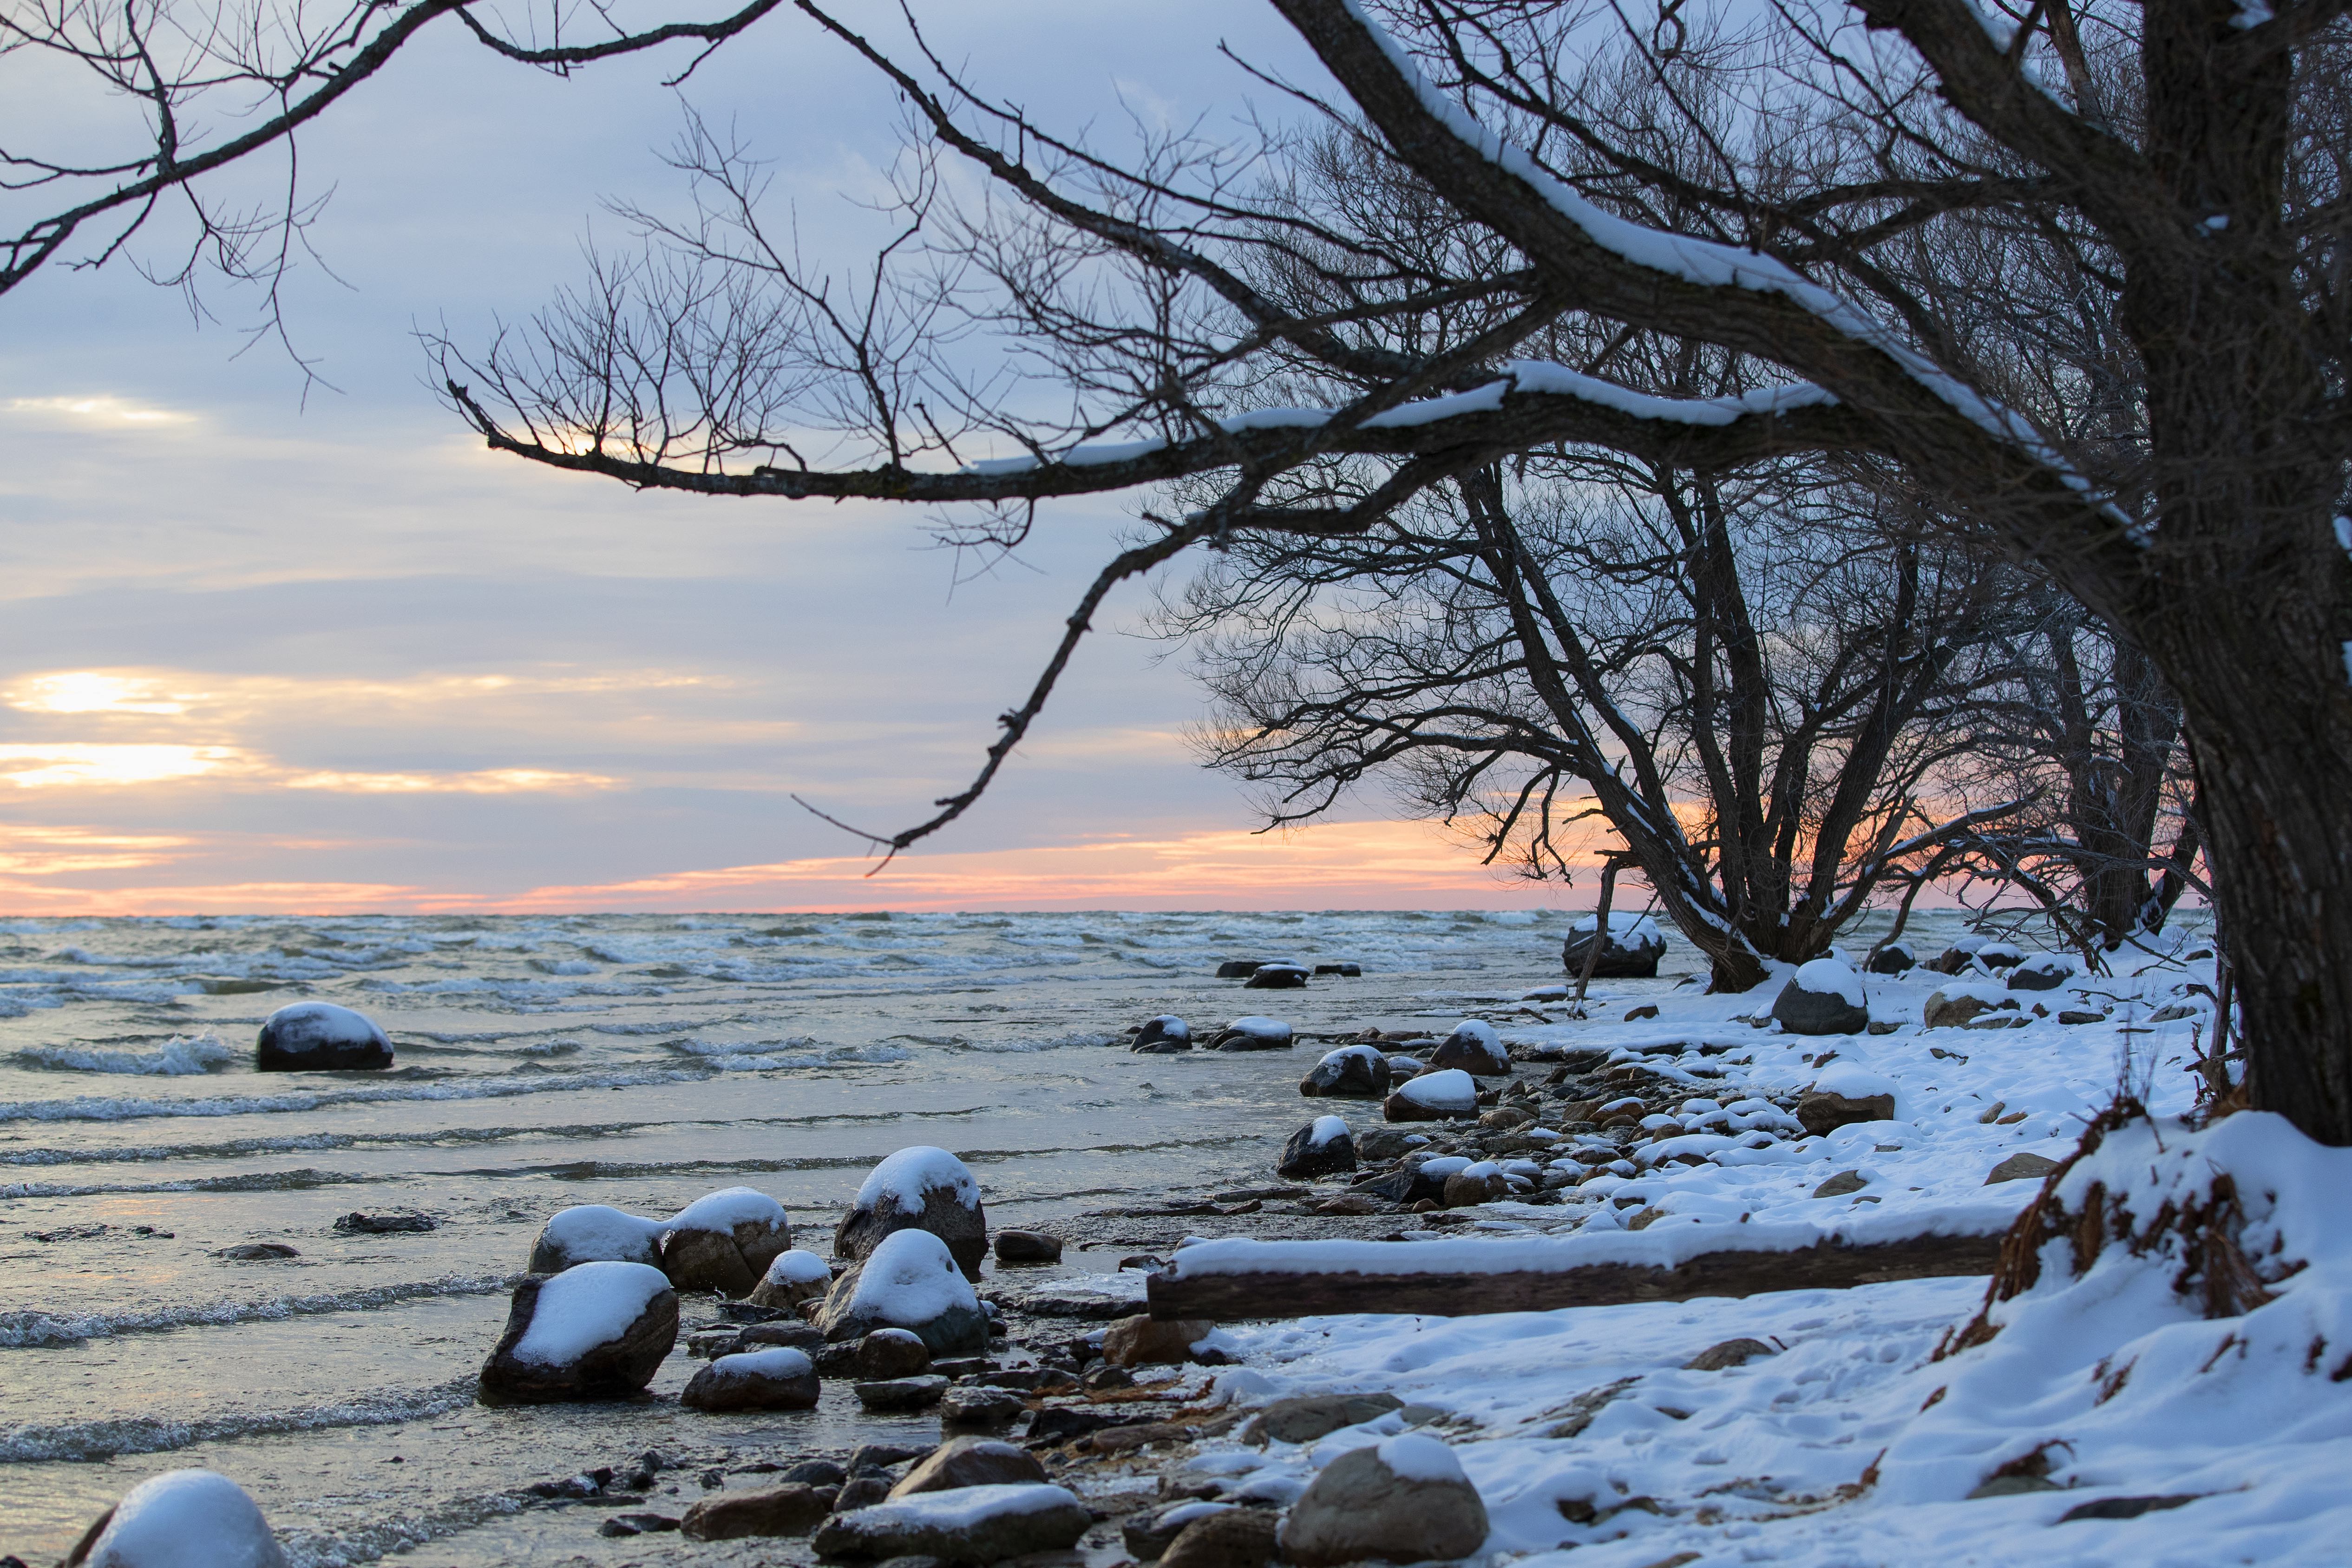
(314, 650)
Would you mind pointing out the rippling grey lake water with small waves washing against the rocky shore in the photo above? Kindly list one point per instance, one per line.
(549, 1061)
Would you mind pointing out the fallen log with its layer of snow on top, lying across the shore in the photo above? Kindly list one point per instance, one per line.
(1262, 1280)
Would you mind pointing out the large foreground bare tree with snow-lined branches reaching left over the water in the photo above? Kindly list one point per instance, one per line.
(1779, 199)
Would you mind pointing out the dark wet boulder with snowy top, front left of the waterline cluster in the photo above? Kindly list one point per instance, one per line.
(594, 1332)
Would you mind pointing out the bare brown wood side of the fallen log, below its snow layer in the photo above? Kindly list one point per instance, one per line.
(1826, 1266)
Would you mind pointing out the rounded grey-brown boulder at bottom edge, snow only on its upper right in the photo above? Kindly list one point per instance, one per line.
(1403, 1501)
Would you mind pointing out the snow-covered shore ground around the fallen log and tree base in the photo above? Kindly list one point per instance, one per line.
(2109, 1421)
